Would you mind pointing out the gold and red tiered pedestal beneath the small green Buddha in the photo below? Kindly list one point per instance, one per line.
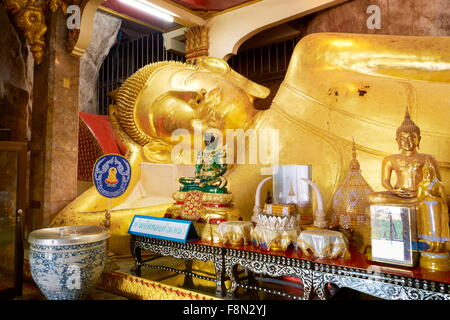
(206, 209)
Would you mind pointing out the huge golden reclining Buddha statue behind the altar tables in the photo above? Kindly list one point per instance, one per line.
(337, 86)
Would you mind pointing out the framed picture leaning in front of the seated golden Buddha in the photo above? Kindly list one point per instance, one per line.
(394, 234)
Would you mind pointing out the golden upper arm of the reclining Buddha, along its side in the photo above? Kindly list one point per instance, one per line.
(425, 58)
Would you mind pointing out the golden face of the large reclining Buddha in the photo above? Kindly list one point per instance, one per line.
(201, 97)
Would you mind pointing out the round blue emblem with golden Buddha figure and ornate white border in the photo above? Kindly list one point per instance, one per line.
(112, 173)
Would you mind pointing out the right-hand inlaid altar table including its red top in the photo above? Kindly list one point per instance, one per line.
(356, 273)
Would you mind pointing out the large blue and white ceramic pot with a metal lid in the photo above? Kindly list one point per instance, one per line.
(66, 262)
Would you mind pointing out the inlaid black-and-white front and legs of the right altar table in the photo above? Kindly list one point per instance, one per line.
(316, 276)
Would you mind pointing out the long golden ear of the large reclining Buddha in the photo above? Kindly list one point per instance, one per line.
(221, 67)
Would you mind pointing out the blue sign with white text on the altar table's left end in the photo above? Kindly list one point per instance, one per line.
(163, 228)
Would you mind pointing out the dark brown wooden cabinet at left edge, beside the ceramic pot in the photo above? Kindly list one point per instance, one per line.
(13, 161)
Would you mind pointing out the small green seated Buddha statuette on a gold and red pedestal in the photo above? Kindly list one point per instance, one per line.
(209, 169)
